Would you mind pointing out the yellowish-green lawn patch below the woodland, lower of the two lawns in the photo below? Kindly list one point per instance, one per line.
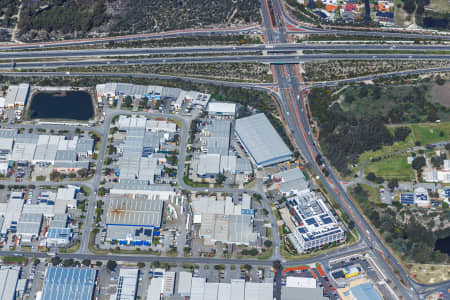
(394, 167)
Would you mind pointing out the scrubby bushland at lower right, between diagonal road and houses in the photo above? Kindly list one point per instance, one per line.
(412, 233)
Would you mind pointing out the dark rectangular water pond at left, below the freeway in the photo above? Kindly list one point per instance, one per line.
(74, 105)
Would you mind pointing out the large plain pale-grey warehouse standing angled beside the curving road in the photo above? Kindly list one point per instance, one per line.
(261, 141)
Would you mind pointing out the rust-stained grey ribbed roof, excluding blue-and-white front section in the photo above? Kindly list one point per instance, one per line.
(142, 212)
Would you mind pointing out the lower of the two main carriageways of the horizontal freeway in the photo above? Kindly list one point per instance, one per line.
(273, 59)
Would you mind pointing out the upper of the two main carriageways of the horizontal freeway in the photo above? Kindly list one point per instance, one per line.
(288, 47)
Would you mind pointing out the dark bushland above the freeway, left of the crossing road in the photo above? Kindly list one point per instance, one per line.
(69, 18)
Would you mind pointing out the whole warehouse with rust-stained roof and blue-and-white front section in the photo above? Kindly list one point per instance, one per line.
(133, 221)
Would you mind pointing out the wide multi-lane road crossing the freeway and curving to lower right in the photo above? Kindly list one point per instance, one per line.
(291, 101)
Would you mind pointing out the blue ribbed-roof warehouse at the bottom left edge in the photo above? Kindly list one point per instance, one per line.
(69, 283)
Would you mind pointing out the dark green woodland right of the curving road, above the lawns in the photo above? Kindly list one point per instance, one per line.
(354, 122)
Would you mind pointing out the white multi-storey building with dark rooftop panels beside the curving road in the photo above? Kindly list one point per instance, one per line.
(316, 225)
